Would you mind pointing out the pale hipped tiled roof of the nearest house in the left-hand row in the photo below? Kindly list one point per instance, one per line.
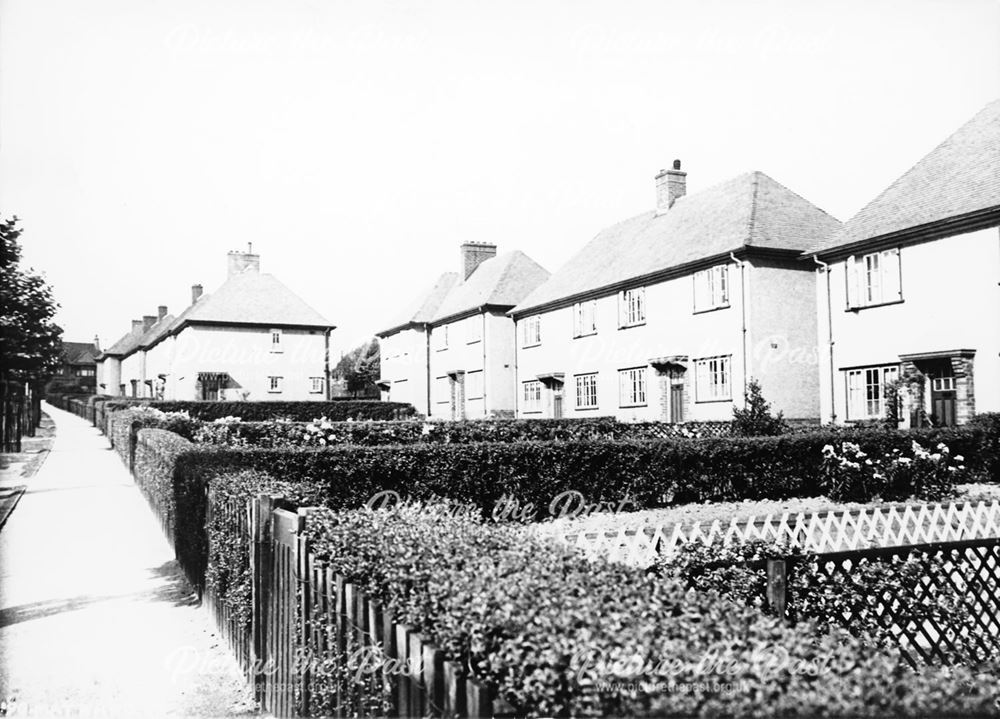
(255, 298)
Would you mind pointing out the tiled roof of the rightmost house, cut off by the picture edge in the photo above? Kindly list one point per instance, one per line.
(959, 176)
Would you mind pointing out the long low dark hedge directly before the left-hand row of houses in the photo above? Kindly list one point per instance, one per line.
(337, 410)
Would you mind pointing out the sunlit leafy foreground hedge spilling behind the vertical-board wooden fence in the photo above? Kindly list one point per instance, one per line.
(556, 635)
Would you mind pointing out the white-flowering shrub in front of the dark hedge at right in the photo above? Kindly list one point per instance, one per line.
(853, 474)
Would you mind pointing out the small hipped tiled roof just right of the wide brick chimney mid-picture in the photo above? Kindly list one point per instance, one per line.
(503, 280)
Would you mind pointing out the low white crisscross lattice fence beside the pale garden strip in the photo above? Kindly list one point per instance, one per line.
(821, 532)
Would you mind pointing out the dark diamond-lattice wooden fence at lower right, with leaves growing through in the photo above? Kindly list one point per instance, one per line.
(945, 610)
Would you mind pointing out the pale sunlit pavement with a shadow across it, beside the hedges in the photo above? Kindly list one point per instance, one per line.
(95, 616)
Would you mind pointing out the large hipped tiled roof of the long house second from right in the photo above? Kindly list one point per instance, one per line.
(750, 210)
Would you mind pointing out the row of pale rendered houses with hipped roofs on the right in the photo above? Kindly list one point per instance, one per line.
(668, 315)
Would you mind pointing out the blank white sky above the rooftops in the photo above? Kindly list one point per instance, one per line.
(357, 144)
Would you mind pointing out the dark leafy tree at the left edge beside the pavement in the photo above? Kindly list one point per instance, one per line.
(30, 341)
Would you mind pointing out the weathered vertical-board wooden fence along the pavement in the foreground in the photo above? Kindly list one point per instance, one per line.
(310, 628)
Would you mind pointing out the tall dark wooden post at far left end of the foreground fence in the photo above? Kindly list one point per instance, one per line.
(260, 567)
